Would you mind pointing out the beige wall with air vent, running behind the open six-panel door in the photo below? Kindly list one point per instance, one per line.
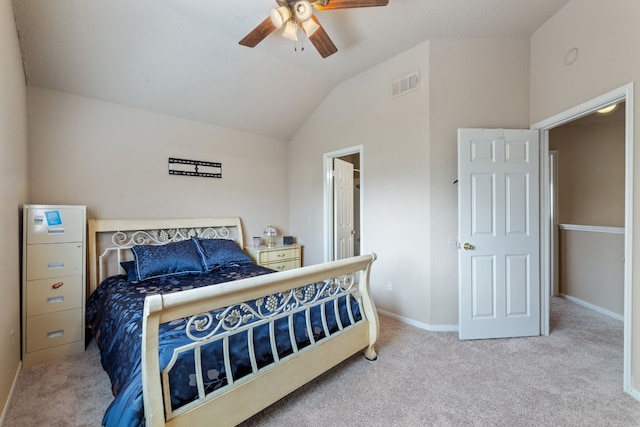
(410, 163)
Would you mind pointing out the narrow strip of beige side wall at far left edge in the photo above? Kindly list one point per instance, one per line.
(13, 193)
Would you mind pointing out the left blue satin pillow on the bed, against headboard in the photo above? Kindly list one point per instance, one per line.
(174, 258)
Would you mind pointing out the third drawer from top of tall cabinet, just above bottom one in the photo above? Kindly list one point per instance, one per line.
(49, 295)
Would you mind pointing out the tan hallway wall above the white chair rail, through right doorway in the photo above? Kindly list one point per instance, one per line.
(591, 174)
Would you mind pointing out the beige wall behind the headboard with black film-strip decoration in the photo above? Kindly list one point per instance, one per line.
(114, 160)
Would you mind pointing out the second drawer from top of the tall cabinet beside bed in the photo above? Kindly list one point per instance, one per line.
(55, 260)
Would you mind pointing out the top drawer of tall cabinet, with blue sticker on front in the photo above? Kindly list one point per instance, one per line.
(54, 225)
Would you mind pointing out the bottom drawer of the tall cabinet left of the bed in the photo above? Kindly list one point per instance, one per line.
(49, 330)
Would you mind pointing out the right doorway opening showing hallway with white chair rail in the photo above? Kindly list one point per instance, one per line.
(586, 165)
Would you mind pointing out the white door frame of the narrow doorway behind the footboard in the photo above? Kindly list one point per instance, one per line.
(327, 160)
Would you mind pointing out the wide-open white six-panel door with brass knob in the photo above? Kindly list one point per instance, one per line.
(498, 228)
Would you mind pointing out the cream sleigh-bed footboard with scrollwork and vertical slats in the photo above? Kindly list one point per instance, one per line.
(277, 296)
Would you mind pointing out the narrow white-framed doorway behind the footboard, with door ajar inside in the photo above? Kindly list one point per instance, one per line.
(342, 196)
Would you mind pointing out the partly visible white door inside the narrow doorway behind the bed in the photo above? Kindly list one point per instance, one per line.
(343, 208)
